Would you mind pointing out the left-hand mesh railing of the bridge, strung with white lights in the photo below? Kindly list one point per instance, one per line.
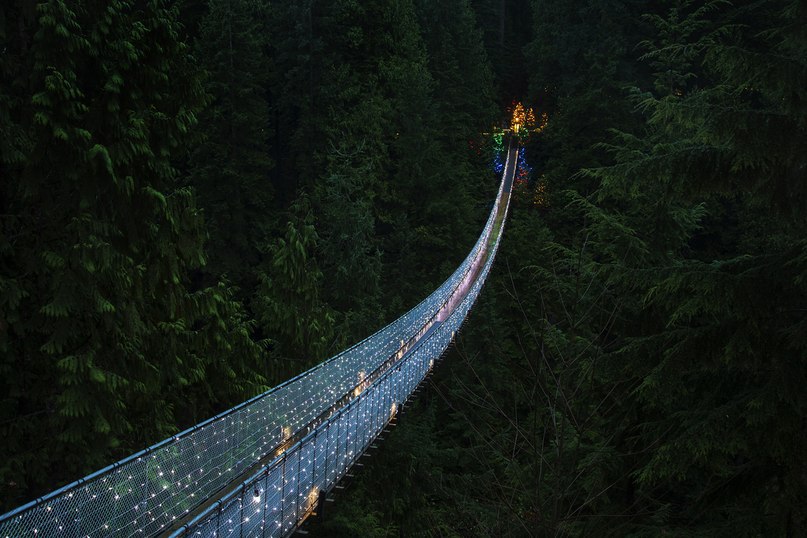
(147, 492)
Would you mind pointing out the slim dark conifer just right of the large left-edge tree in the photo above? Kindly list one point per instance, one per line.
(231, 168)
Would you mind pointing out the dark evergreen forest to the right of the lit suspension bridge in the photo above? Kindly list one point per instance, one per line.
(636, 363)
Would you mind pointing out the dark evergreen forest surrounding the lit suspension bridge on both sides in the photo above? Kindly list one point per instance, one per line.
(199, 199)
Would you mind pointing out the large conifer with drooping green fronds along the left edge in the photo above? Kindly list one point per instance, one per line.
(104, 337)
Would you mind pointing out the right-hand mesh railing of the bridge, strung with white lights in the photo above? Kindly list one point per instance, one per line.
(275, 499)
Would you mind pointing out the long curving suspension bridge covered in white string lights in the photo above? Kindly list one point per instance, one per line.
(261, 468)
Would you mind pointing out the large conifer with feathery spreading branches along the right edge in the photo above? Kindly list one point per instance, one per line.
(719, 309)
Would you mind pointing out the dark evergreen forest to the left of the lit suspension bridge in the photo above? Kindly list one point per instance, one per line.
(201, 199)
